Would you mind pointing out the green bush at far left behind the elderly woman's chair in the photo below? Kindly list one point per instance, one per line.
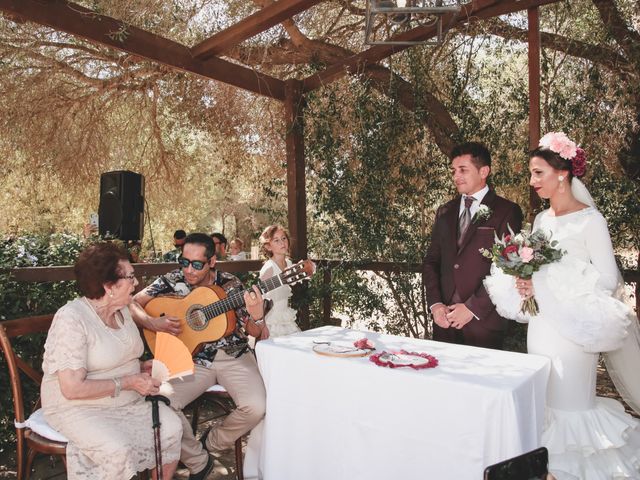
(18, 299)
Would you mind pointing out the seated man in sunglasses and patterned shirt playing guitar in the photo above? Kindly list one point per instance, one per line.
(229, 361)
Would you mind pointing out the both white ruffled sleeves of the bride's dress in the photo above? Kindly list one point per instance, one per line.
(574, 295)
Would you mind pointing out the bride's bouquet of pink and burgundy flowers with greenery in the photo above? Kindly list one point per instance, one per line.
(522, 254)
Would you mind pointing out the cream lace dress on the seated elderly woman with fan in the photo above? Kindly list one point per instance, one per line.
(109, 438)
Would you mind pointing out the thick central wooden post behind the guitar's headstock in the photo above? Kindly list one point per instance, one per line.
(296, 189)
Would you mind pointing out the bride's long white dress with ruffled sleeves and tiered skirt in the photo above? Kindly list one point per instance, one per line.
(588, 437)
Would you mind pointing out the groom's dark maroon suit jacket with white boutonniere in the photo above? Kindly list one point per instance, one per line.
(447, 268)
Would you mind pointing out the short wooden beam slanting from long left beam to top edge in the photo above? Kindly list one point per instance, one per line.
(254, 24)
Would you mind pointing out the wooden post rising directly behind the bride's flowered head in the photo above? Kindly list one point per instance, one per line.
(533, 15)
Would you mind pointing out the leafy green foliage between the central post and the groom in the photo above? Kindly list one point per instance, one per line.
(367, 202)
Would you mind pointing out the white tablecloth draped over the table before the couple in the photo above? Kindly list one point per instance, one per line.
(346, 418)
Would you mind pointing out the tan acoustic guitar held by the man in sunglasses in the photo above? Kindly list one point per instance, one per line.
(207, 314)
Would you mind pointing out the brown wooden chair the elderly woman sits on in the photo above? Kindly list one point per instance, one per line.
(29, 442)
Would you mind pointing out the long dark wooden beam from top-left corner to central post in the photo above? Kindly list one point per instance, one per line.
(76, 20)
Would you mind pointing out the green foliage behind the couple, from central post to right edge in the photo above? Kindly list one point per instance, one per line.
(375, 176)
